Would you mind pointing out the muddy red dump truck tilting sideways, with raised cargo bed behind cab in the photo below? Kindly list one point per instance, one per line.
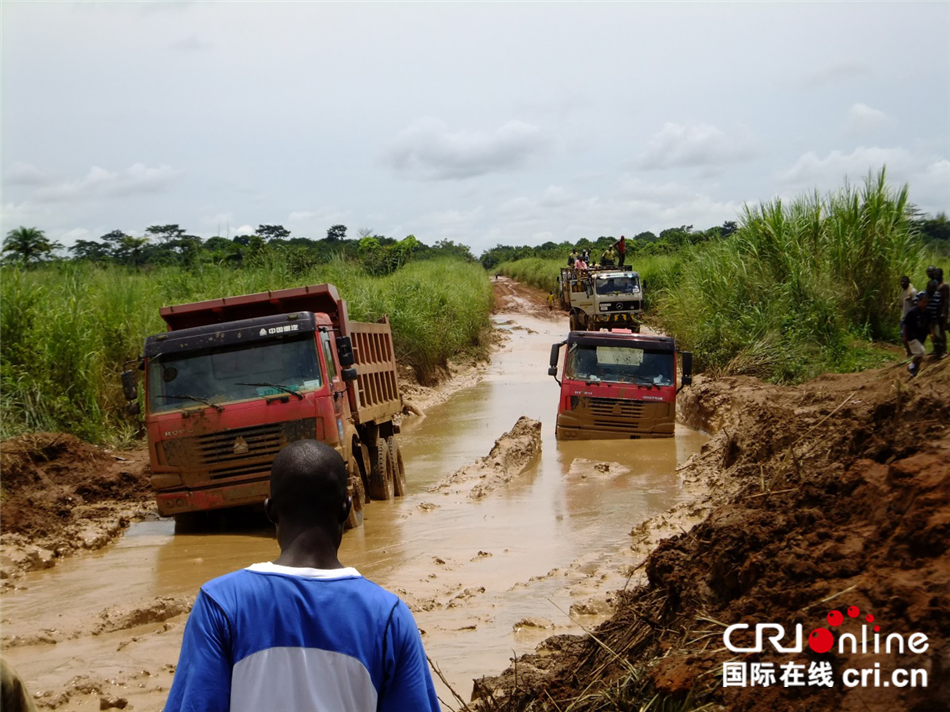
(235, 379)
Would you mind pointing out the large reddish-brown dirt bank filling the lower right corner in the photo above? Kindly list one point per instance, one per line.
(838, 500)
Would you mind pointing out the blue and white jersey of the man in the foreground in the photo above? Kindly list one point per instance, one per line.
(275, 638)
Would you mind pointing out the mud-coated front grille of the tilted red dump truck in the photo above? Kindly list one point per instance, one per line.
(236, 452)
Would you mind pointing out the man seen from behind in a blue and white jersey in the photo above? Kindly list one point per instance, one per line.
(302, 632)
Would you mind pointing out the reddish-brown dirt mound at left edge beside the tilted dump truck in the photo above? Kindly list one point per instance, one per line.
(61, 494)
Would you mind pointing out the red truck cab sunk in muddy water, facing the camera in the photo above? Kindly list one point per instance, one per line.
(618, 385)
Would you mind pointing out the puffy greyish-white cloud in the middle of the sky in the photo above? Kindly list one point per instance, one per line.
(429, 150)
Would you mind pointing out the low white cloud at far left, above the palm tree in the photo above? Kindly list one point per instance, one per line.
(99, 182)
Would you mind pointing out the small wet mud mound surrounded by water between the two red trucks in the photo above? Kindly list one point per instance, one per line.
(511, 455)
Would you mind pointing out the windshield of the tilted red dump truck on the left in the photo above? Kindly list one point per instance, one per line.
(227, 374)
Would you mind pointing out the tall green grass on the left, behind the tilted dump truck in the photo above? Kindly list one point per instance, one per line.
(66, 330)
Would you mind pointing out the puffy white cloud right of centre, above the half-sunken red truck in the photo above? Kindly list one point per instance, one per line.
(697, 145)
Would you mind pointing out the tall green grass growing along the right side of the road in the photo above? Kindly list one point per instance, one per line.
(800, 288)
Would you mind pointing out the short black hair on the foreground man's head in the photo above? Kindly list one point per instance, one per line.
(308, 480)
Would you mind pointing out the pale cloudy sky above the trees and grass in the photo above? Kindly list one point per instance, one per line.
(483, 123)
